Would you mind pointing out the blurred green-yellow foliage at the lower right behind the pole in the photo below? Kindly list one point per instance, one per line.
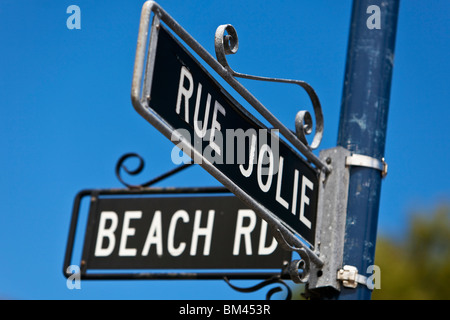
(419, 266)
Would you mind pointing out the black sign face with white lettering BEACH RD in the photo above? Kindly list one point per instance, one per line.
(178, 232)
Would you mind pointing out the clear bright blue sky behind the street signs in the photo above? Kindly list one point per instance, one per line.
(66, 117)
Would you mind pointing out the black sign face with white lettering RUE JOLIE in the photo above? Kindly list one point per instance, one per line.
(219, 134)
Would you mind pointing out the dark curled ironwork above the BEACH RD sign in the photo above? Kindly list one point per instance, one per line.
(120, 165)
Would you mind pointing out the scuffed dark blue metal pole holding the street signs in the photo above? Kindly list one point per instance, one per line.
(363, 123)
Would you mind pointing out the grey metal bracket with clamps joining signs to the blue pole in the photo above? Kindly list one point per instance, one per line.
(331, 219)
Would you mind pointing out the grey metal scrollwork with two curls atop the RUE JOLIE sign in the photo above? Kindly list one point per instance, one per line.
(226, 42)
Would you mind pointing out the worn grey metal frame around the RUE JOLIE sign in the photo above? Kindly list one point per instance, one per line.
(139, 94)
